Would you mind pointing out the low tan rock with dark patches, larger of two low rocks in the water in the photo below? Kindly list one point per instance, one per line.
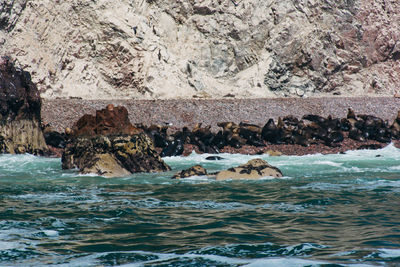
(254, 169)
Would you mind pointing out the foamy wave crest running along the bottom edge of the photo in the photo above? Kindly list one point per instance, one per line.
(144, 258)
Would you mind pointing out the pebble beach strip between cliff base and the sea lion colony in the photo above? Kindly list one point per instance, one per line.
(62, 113)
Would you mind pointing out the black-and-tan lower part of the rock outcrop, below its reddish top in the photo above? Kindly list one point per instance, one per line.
(113, 156)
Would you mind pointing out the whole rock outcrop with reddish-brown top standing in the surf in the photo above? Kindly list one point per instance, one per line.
(107, 144)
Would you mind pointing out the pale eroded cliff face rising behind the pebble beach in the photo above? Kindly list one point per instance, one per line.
(152, 49)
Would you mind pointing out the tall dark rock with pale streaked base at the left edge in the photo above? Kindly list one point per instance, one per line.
(20, 104)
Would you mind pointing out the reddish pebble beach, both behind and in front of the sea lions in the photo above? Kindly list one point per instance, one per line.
(176, 114)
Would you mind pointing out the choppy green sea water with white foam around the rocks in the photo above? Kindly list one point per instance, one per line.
(328, 210)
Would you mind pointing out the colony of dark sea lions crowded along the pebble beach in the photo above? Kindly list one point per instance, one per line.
(310, 129)
